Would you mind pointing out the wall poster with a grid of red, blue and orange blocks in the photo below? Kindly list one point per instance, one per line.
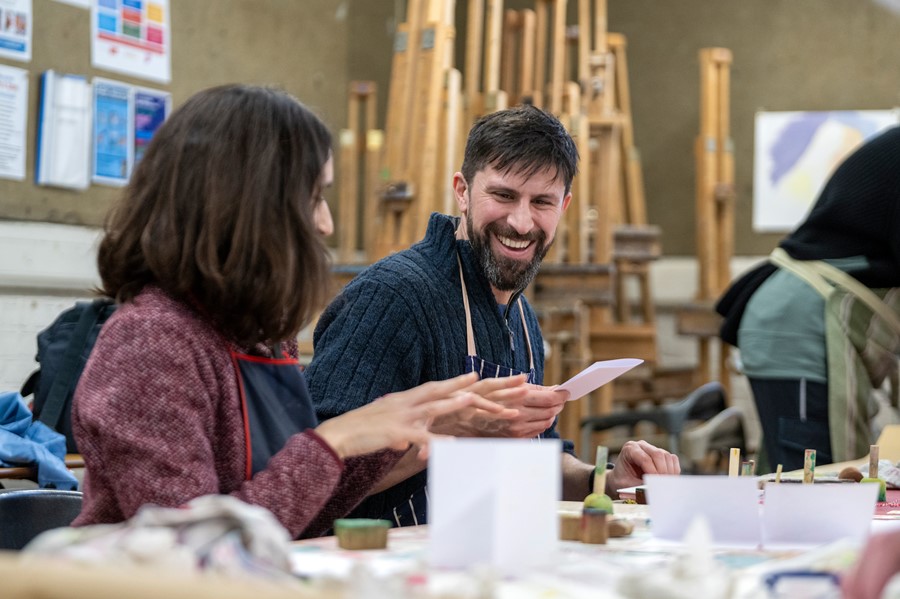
(132, 37)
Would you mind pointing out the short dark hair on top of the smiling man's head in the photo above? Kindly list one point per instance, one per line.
(523, 139)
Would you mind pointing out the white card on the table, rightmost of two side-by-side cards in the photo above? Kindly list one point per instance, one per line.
(797, 514)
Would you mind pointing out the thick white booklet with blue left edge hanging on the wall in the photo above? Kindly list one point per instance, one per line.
(64, 131)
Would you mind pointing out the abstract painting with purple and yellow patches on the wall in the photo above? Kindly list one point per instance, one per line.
(795, 154)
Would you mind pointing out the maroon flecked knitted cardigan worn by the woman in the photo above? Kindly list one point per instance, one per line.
(157, 421)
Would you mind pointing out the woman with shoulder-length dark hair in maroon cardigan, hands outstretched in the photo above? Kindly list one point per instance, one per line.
(215, 255)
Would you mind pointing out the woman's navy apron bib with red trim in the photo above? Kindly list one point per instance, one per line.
(275, 405)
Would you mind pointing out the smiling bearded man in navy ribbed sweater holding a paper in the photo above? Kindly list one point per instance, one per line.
(453, 303)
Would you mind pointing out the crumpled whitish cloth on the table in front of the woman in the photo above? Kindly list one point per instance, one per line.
(213, 533)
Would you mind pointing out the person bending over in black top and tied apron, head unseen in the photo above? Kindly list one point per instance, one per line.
(814, 345)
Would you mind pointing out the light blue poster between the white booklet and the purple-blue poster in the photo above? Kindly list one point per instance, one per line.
(113, 133)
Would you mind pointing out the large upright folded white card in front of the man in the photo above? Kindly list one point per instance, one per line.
(493, 501)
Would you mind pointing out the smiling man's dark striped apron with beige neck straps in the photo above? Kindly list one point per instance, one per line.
(414, 511)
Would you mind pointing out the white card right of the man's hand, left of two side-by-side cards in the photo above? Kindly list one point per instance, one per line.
(729, 504)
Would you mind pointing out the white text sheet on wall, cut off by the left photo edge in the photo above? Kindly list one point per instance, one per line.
(13, 117)
